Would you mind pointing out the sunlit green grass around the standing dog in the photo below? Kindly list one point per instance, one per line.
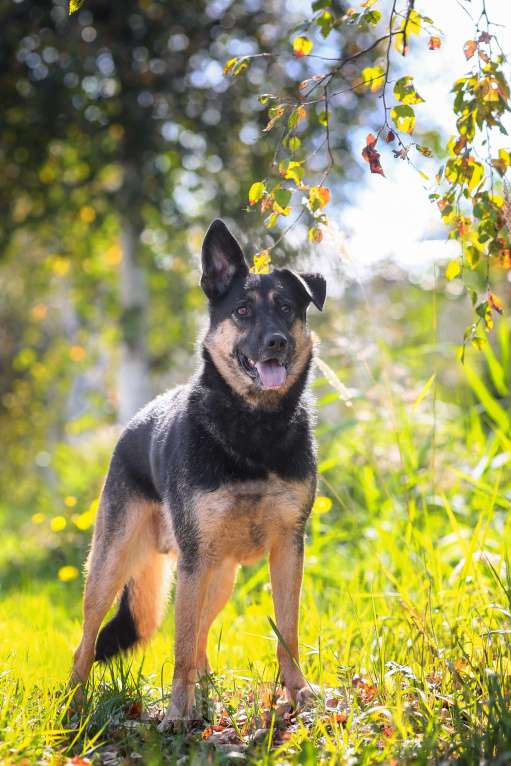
(406, 611)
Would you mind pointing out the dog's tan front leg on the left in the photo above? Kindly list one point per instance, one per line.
(191, 586)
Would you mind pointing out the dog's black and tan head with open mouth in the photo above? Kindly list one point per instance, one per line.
(258, 337)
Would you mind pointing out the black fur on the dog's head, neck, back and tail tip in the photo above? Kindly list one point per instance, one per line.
(204, 435)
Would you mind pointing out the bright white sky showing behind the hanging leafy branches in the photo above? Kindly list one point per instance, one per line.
(393, 216)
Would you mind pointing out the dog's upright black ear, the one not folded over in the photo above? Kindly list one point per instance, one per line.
(222, 260)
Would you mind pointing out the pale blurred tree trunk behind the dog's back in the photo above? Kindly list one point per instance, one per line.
(133, 384)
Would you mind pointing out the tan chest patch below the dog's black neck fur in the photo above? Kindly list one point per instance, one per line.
(243, 520)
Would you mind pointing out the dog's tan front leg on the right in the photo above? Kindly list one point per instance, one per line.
(286, 569)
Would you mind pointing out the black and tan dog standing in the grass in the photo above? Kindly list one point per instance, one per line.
(216, 473)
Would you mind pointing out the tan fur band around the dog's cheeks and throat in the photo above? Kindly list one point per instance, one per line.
(221, 343)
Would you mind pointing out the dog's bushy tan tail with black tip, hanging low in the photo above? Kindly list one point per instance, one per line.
(140, 609)
